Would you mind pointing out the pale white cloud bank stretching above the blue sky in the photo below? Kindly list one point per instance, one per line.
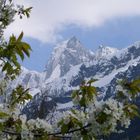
(49, 17)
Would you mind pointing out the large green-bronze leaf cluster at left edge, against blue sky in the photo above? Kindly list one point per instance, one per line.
(9, 53)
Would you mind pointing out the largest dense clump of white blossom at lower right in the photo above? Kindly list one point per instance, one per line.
(114, 113)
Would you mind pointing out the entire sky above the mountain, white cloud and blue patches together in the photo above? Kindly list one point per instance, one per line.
(94, 22)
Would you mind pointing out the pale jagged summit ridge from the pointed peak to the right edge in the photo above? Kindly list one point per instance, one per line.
(71, 52)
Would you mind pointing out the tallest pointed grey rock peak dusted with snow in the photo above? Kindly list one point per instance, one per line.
(65, 55)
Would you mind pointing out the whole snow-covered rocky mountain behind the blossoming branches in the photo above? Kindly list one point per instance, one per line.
(70, 64)
